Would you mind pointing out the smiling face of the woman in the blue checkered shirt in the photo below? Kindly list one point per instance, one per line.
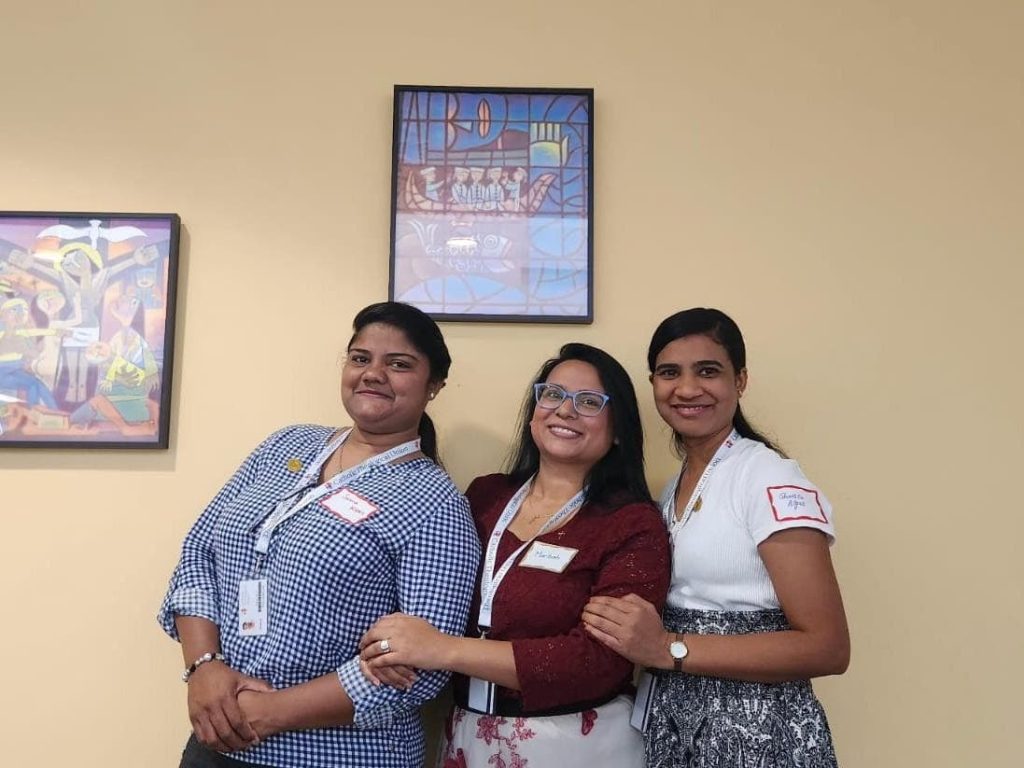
(386, 382)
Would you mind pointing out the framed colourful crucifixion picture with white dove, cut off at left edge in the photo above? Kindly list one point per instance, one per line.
(87, 329)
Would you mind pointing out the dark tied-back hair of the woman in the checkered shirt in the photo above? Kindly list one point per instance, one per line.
(423, 334)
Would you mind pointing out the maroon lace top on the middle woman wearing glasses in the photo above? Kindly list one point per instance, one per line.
(621, 550)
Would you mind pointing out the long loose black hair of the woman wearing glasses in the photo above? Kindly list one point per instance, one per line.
(618, 478)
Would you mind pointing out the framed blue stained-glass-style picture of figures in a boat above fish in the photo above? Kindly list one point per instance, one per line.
(493, 203)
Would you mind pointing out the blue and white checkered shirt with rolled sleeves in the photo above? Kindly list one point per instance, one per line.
(329, 581)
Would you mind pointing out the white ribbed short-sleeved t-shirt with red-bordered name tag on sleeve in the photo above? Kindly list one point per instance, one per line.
(752, 494)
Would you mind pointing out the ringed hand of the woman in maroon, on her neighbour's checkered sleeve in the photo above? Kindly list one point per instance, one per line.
(399, 641)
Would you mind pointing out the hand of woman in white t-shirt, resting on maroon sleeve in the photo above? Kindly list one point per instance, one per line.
(631, 627)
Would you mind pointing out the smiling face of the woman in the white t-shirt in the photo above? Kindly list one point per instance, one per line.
(697, 390)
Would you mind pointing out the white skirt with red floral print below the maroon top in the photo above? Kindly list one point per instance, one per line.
(586, 740)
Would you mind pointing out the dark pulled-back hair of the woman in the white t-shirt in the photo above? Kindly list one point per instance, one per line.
(720, 328)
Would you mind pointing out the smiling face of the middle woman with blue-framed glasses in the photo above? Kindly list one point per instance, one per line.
(565, 437)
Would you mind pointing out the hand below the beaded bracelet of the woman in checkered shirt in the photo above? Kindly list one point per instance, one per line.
(214, 707)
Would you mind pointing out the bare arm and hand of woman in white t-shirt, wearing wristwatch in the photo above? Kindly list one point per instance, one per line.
(801, 572)
